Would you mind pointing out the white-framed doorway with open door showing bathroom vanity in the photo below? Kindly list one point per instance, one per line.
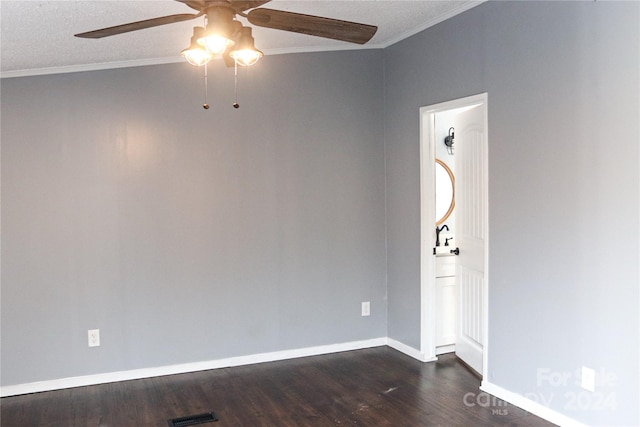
(466, 230)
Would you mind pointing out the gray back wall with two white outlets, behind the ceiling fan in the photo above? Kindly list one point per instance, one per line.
(189, 235)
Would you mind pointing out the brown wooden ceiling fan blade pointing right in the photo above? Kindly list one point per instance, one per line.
(336, 29)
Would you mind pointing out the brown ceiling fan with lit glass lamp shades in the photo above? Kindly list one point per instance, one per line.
(224, 36)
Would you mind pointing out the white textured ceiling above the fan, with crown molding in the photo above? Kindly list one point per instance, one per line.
(37, 36)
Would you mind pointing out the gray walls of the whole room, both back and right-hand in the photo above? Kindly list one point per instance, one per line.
(189, 235)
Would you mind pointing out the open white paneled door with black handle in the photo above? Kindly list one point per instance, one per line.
(471, 234)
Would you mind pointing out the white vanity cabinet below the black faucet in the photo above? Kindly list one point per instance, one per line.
(445, 303)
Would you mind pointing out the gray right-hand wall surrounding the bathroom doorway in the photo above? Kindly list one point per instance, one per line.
(563, 85)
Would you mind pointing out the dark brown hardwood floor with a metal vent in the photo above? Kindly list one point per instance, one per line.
(372, 387)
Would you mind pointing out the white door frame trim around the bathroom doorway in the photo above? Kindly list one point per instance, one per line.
(427, 234)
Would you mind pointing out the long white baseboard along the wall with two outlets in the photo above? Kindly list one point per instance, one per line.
(134, 374)
